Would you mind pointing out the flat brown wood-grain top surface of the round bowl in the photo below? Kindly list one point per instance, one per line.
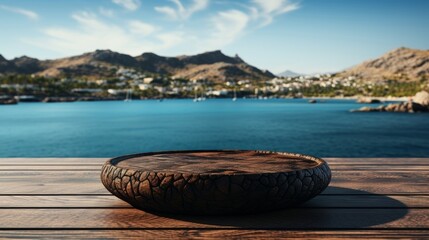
(218, 162)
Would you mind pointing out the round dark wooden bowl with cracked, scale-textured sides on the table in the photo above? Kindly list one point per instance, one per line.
(215, 182)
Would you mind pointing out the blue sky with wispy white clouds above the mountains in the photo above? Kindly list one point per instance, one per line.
(305, 36)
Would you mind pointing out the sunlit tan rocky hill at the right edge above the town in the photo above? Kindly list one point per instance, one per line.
(402, 64)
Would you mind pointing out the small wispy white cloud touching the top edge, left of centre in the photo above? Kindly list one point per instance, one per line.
(181, 12)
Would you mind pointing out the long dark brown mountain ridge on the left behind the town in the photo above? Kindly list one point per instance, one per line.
(213, 65)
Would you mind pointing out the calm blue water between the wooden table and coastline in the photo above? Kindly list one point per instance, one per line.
(106, 129)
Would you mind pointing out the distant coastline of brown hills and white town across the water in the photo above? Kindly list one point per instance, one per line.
(104, 75)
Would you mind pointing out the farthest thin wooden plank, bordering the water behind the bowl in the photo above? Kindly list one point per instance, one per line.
(101, 161)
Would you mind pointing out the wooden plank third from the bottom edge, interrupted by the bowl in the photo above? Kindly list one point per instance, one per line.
(321, 201)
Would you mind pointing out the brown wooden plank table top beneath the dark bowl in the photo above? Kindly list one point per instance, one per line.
(64, 198)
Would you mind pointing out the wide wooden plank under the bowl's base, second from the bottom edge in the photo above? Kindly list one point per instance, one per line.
(304, 218)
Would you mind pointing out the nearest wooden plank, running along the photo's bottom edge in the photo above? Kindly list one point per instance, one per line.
(213, 234)
